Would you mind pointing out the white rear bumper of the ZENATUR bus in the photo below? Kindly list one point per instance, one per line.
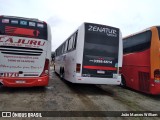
(97, 80)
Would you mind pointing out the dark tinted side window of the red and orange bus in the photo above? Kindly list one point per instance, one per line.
(137, 42)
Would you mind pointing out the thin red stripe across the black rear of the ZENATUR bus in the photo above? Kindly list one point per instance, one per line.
(99, 68)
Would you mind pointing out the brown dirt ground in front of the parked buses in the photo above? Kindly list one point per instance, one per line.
(64, 96)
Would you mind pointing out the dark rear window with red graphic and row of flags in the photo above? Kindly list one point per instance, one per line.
(23, 28)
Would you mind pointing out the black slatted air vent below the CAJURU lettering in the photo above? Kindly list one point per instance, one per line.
(21, 50)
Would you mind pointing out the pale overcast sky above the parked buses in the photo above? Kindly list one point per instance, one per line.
(65, 16)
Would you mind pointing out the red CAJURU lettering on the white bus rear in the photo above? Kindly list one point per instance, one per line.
(21, 41)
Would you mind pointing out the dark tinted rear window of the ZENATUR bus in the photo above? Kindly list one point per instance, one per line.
(99, 43)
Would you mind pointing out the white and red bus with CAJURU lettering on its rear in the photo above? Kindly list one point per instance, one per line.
(25, 50)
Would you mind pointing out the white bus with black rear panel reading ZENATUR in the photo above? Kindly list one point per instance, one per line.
(92, 55)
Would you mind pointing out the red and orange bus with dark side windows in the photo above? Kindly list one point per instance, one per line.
(141, 61)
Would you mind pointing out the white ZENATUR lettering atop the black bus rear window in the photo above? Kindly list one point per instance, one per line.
(102, 29)
